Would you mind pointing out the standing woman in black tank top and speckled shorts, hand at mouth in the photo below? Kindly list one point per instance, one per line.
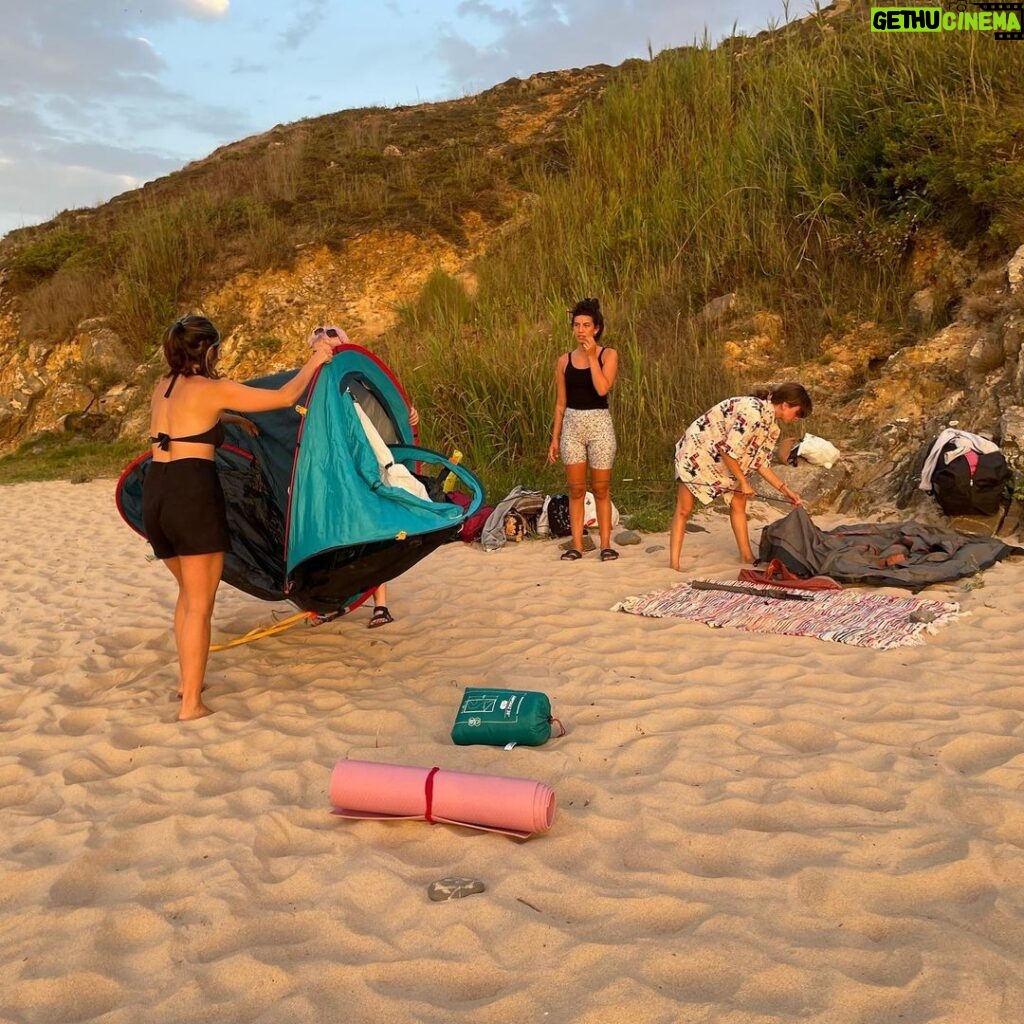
(583, 434)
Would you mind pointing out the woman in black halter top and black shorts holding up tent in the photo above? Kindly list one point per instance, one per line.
(183, 502)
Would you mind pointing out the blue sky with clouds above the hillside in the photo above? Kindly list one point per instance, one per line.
(100, 97)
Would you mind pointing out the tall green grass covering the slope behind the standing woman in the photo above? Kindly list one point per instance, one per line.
(793, 172)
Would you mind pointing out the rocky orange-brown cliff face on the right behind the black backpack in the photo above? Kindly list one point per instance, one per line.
(883, 396)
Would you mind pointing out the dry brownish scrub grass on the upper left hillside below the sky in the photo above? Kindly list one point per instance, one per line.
(144, 258)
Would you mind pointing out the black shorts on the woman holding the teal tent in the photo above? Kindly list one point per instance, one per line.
(184, 509)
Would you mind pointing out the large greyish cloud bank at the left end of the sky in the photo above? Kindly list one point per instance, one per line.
(83, 102)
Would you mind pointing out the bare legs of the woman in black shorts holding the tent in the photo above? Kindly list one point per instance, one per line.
(200, 577)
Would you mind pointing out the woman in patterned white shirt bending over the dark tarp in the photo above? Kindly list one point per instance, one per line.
(721, 447)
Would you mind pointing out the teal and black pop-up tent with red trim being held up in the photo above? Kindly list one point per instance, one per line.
(314, 517)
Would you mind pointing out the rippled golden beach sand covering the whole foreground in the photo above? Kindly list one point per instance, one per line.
(751, 829)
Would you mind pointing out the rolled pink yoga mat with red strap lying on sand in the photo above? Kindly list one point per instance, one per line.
(514, 806)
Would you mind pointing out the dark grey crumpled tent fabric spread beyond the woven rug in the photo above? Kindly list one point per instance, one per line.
(884, 554)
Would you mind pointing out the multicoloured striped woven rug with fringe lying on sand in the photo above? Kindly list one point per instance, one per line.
(859, 618)
